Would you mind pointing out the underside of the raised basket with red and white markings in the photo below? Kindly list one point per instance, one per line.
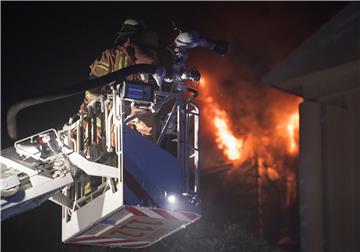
(135, 227)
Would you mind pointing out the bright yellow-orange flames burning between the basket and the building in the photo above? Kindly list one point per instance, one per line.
(234, 146)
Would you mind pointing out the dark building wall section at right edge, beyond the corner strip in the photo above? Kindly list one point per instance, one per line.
(341, 142)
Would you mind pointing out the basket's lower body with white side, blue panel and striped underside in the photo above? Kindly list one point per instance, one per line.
(147, 206)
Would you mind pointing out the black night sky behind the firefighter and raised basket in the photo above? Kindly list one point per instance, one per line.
(47, 45)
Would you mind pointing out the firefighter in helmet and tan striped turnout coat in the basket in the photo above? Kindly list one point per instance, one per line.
(135, 44)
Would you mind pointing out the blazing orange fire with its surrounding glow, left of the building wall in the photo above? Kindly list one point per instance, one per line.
(267, 136)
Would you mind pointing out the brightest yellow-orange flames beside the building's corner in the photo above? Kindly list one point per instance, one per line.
(233, 146)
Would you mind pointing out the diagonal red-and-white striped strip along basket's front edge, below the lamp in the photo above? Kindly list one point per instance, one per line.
(163, 214)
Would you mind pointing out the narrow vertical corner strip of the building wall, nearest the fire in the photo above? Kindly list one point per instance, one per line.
(310, 177)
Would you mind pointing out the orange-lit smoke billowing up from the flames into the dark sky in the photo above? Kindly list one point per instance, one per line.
(260, 35)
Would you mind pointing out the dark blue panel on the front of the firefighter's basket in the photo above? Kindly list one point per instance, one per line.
(149, 170)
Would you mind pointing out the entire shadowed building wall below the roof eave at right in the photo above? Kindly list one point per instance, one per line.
(329, 173)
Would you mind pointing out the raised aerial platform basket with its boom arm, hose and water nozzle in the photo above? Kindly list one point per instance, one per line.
(116, 187)
